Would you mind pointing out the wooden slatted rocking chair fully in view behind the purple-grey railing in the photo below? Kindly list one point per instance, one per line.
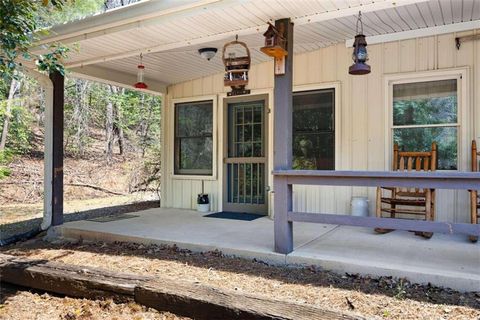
(401, 200)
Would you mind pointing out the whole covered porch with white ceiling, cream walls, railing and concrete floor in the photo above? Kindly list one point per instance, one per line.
(167, 35)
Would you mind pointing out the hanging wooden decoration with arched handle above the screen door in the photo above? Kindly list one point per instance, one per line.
(236, 67)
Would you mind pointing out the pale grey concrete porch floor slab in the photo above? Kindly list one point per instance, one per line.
(444, 260)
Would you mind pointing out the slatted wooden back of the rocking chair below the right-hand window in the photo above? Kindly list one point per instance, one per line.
(414, 161)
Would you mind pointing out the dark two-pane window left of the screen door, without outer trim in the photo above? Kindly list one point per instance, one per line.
(194, 138)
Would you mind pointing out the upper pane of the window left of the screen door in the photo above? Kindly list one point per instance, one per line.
(194, 119)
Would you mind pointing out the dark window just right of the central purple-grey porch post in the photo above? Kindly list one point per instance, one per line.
(314, 130)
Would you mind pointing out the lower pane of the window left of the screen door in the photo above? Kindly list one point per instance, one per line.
(196, 154)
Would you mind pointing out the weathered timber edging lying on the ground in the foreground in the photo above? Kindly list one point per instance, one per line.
(179, 297)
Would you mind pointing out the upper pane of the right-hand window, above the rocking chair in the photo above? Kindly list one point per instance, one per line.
(432, 102)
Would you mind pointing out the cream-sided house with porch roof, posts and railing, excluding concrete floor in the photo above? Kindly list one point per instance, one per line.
(238, 148)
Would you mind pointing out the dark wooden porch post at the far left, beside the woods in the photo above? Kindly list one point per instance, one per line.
(56, 150)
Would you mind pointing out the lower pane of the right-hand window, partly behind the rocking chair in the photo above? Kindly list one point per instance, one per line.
(420, 139)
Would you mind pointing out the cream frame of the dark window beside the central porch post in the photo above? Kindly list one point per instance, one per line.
(336, 85)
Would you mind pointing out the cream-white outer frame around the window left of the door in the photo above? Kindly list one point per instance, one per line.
(173, 105)
